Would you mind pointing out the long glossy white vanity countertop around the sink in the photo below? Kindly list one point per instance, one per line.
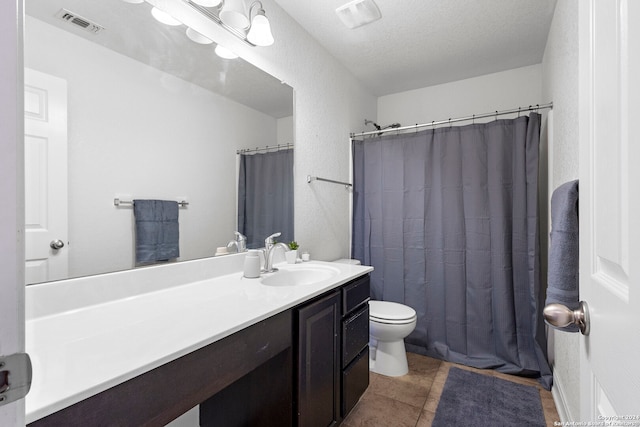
(83, 351)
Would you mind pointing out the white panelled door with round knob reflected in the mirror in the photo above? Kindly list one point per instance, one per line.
(45, 153)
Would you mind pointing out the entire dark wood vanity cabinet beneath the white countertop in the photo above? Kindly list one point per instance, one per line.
(307, 366)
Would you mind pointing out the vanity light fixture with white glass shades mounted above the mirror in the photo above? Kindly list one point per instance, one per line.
(248, 24)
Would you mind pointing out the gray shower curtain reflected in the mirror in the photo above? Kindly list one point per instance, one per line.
(265, 196)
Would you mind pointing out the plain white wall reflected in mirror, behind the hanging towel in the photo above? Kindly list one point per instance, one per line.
(136, 131)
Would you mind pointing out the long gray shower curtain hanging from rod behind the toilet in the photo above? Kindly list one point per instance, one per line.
(448, 218)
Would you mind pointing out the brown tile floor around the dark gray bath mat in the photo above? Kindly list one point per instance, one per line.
(411, 400)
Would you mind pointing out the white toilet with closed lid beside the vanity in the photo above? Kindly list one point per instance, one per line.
(389, 324)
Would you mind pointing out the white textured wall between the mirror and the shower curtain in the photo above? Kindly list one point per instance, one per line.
(329, 104)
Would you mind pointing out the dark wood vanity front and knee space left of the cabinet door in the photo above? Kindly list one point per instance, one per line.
(242, 380)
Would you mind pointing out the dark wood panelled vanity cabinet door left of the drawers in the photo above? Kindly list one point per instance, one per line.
(318, 363)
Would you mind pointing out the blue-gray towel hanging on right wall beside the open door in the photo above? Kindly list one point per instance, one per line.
(562, 278)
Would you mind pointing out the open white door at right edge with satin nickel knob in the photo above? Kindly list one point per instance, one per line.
(610, 209)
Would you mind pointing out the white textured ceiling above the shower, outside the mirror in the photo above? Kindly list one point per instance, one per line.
(419, 43)
